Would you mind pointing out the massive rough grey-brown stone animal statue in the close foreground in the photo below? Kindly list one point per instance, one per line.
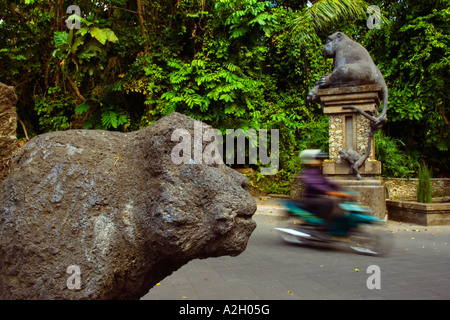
(115, 206)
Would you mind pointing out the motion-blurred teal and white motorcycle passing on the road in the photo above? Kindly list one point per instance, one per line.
(363, 232)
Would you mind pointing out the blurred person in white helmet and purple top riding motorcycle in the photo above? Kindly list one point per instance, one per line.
(317, 187)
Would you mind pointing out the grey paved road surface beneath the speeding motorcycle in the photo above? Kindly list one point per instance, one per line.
(269, 269)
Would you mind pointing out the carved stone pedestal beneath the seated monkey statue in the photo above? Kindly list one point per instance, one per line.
(350, 129)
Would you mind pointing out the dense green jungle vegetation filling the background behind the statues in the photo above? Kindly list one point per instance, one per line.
(230, 63)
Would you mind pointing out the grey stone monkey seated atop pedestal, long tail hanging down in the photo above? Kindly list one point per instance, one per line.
(352, 66)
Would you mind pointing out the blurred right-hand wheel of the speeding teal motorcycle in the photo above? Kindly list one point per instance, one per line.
(371, 240)
